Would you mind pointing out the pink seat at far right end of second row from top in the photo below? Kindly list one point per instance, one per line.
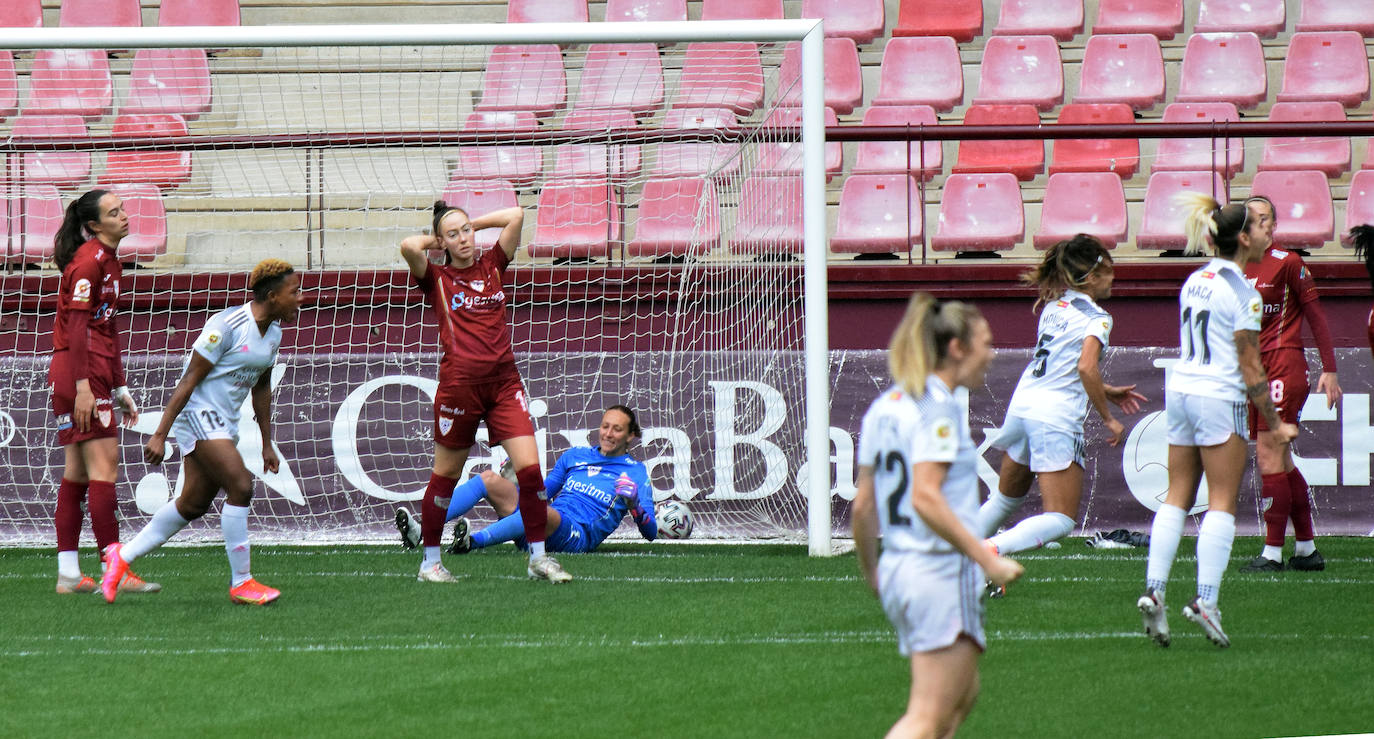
(1327, 67)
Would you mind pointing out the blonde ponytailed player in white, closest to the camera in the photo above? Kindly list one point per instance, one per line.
(917, 455)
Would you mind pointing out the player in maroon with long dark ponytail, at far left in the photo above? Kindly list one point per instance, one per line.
(87, 381)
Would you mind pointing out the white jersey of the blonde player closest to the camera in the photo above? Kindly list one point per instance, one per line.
(901, 432)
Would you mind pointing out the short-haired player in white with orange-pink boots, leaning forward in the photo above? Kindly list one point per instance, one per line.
(232, 361)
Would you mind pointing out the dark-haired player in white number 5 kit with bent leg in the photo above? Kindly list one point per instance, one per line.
(1042, 435)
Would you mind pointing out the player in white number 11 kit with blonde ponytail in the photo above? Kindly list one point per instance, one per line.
(1219, 366)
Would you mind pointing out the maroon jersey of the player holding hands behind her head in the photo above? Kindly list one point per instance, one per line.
(471, 307)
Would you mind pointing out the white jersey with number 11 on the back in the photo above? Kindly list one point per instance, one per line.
(1217, 303)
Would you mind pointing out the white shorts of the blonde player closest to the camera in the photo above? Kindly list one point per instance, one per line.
(932, 600)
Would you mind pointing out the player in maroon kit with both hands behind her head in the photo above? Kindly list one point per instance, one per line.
(477, 378)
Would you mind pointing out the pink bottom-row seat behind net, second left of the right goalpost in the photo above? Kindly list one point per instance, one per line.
(678, 218)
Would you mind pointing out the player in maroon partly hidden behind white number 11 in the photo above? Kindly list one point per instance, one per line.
(1289, 296)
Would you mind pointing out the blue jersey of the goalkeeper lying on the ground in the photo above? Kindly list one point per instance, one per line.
(582, 486)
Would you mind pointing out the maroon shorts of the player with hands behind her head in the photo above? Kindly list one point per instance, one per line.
(460, 406)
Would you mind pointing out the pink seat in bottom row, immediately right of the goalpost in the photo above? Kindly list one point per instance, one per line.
(879, 214)
